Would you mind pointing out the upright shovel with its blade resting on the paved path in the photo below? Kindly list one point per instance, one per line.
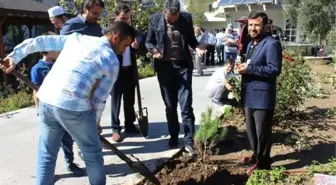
(142, 118)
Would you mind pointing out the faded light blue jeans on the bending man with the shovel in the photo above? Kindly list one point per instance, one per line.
(83, 129)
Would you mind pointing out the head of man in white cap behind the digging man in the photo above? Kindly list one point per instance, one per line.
(57, 16)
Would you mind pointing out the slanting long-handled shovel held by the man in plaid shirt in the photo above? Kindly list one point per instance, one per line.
(137, 166)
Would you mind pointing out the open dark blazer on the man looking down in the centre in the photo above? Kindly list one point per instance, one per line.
(156, 35)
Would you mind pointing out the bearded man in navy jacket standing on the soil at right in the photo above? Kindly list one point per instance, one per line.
(259, 72)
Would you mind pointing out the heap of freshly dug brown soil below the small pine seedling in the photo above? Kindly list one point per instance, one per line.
(184, 170)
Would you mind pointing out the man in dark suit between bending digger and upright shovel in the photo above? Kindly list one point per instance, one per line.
(126, 82)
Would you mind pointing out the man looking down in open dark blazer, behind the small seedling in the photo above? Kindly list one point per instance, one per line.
(169, 34)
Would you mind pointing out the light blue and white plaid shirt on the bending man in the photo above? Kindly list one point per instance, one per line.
(83, 61)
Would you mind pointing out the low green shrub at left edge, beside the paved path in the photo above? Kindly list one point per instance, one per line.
(16, 101)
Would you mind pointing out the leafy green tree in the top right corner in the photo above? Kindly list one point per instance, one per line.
(314, 18)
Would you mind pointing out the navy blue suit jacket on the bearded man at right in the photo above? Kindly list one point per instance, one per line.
(259, 84)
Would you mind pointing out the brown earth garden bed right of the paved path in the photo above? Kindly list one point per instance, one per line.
(310, 135)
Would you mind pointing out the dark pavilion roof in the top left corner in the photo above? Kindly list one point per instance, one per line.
(23, 8)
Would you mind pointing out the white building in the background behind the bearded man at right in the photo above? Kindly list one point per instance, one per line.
(231, 10)
